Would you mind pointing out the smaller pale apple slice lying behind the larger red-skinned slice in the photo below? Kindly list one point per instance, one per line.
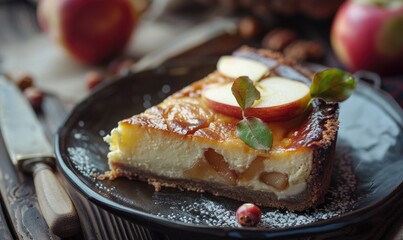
(234, 67)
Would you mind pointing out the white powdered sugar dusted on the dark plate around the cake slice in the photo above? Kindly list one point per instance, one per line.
(204, 209)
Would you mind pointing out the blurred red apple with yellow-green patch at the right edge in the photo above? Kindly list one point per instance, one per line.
(368, 35)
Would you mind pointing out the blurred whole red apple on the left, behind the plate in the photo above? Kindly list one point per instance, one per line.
(89, 30)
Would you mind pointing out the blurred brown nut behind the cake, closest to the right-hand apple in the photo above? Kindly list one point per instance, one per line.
(304, 50)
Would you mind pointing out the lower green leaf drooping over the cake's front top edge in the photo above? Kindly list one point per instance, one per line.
(255, 133)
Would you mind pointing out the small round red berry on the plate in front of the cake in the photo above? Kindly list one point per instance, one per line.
(248, 215)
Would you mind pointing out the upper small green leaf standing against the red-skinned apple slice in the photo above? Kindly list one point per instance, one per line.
(245, 92)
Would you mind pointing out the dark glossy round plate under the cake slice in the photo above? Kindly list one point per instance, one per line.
(366, 184)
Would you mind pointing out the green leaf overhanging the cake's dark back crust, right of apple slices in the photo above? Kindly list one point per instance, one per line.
(332, 85)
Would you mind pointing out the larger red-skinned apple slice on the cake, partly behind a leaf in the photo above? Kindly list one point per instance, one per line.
(281, 99)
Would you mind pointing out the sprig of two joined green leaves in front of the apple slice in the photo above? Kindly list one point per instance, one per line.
(251, 130)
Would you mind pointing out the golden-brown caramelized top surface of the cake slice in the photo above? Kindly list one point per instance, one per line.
(186, 113)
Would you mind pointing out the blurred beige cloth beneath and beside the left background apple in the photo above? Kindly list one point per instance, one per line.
(54, 71)
